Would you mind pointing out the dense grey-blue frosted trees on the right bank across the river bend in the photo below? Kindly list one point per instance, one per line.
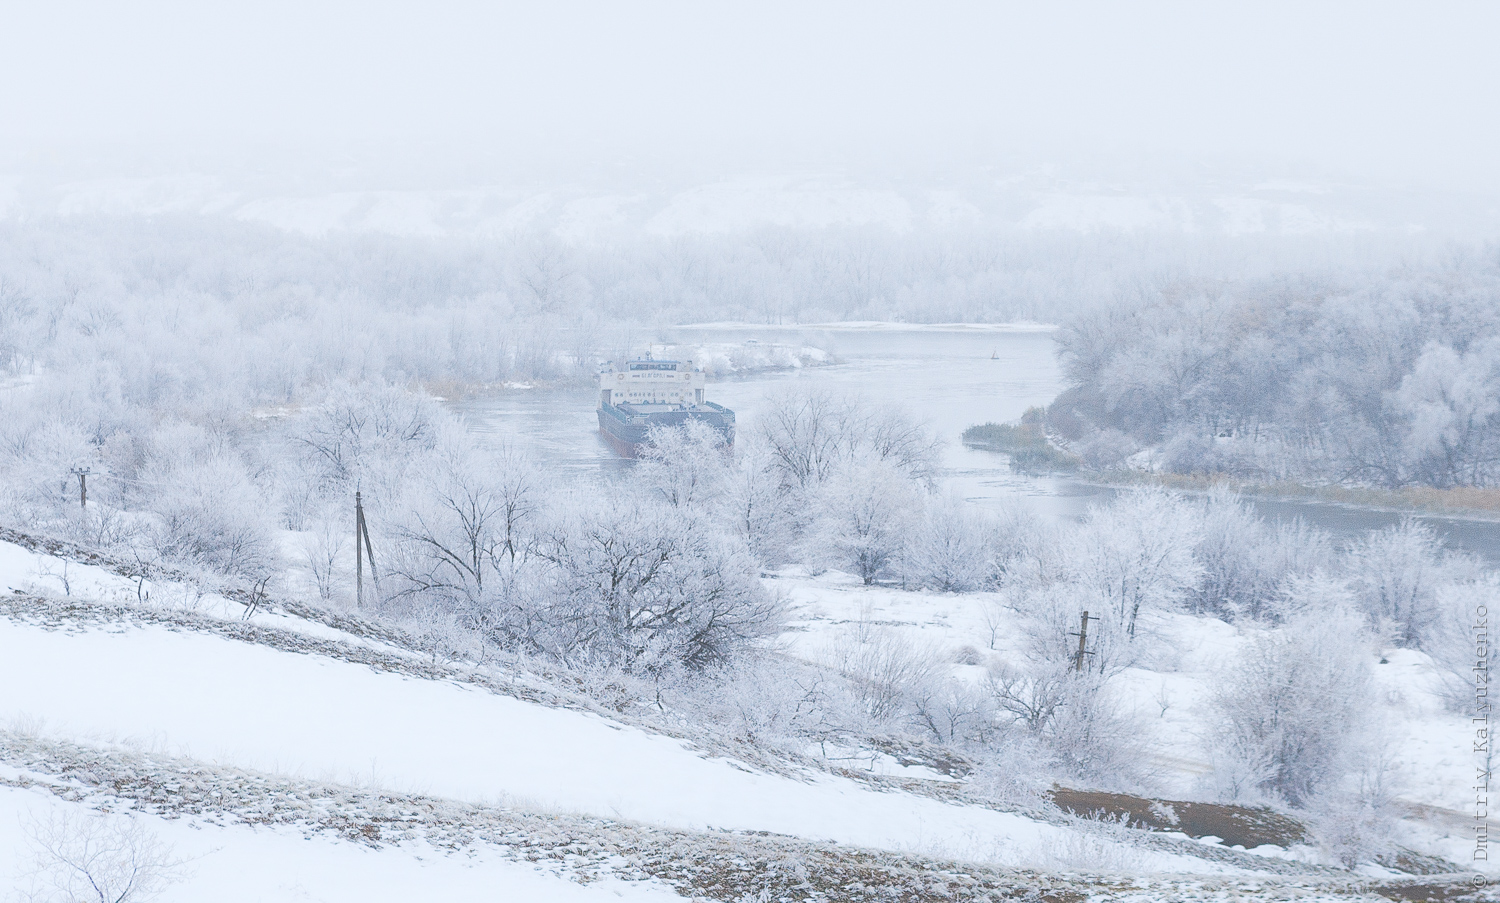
(1385, 380)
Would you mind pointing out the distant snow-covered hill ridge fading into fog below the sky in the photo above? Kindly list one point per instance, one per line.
(1031, 200)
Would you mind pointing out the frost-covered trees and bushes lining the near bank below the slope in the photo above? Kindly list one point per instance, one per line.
(650, 587)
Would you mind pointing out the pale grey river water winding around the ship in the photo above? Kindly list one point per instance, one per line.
(952, 379)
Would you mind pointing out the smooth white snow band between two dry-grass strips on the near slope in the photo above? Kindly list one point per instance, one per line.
(283, 713)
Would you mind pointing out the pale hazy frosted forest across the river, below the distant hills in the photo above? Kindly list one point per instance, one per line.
(259, 313)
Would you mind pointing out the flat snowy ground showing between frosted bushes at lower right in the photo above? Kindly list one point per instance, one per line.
(1429, 748)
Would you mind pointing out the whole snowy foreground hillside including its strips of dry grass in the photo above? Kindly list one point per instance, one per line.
(292, 758)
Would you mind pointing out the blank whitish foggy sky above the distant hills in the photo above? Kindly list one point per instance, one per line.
(1403, 94)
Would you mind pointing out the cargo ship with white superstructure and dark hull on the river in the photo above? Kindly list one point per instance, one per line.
(650, 394)
